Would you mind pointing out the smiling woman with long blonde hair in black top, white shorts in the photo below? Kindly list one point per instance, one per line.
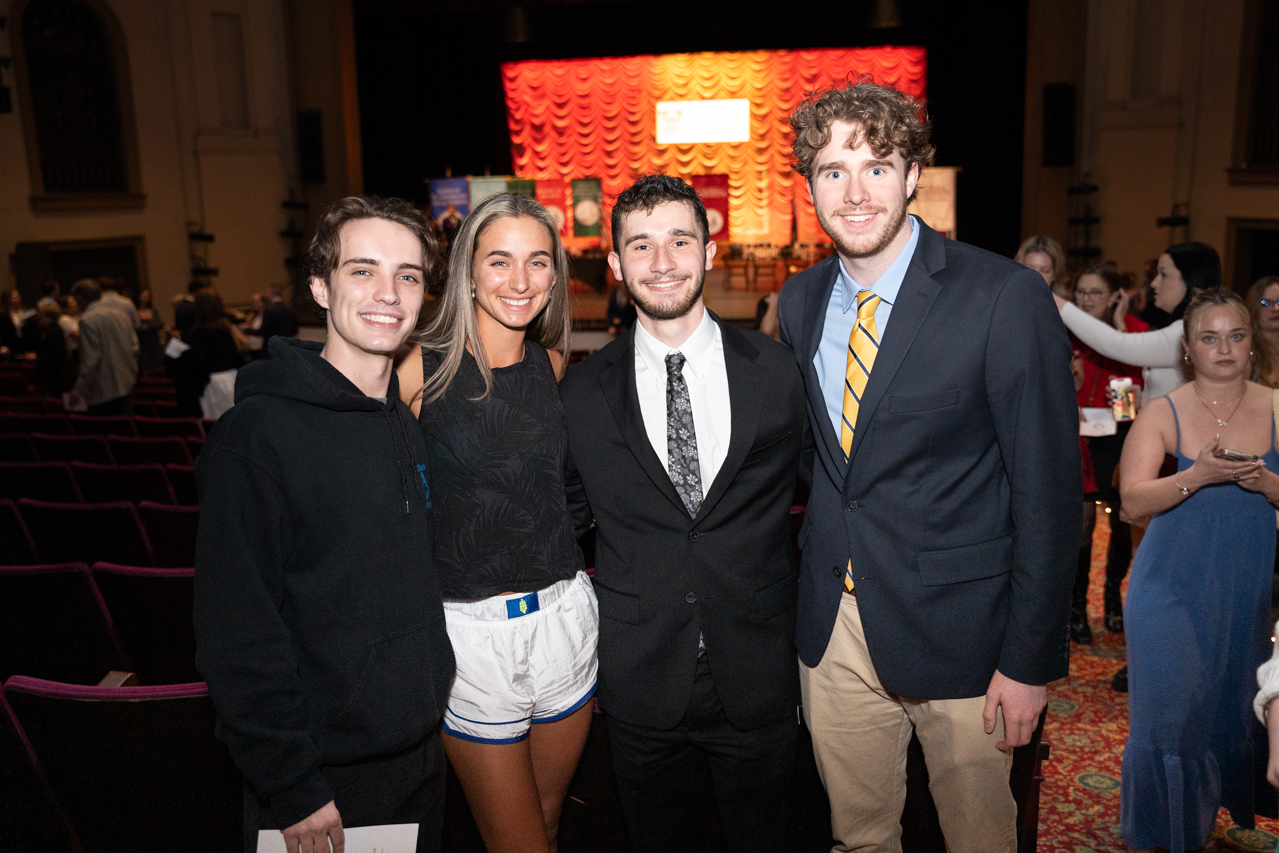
(520, 608)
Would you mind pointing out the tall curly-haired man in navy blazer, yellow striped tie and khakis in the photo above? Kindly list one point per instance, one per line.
(939, 539)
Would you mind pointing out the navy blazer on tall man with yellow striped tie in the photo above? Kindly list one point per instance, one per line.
(960, 507)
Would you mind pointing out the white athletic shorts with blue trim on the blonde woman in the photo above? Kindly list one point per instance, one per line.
(522, 659)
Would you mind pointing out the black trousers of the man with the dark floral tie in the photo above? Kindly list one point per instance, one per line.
(662, 778)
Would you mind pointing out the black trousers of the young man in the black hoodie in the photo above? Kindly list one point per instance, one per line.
(405, 788)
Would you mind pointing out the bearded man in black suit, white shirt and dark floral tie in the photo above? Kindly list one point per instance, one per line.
(686, 442)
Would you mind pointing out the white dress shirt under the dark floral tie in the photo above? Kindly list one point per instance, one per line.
(707, 378)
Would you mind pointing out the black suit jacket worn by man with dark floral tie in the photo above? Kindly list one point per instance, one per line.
(663, 577)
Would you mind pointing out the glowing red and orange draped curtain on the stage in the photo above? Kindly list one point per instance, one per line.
(597, 118)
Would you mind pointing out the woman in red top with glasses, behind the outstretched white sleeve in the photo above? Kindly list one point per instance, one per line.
(1098, 292)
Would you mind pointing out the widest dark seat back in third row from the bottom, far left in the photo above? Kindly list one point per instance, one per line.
(88, 533)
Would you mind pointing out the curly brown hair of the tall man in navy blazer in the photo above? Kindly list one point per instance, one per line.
(887, 120)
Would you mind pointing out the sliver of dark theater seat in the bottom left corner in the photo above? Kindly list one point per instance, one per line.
(30, 817)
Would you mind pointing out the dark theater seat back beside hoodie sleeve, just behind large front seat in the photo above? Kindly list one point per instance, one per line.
(153, 614)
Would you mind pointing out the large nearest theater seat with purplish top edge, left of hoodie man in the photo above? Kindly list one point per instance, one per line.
(136, 768)
